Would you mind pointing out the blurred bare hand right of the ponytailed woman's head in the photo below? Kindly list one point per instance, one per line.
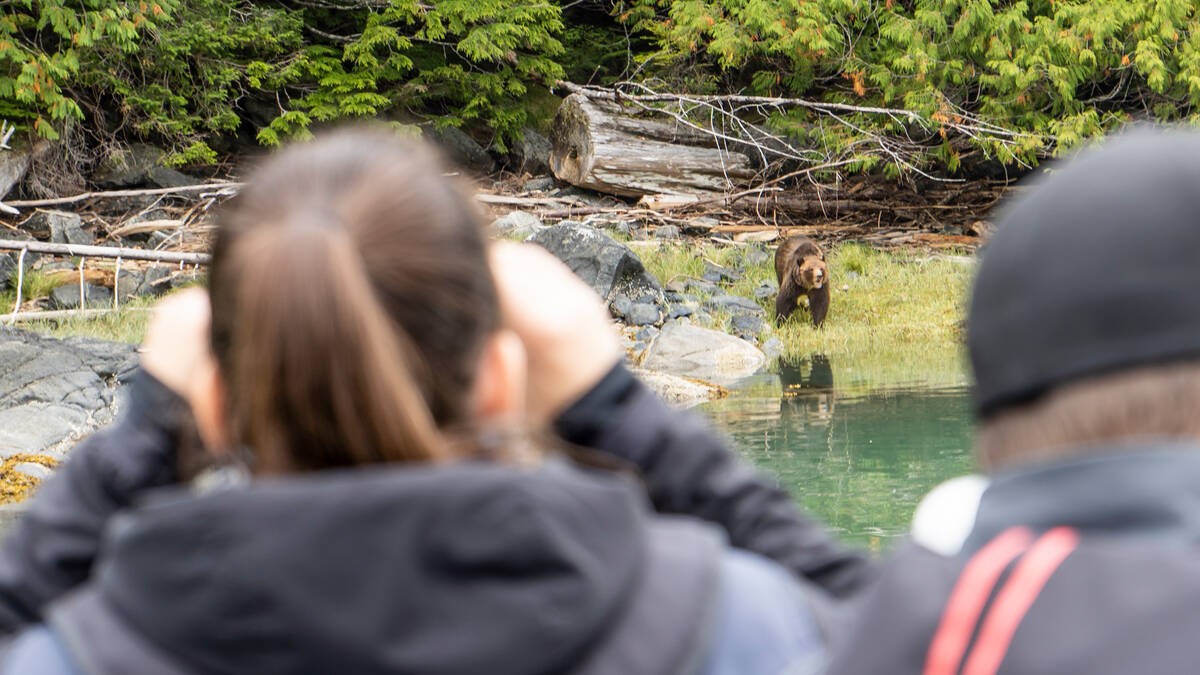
(571, 342)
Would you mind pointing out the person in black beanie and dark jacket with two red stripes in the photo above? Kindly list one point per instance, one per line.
(1084, 552)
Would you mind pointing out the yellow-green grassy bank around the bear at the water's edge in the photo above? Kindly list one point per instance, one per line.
(898, 312)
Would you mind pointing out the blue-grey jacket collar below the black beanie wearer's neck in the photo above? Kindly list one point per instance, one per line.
(1149, 489)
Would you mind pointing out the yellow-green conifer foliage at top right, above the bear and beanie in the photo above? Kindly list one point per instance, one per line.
(1060, 70)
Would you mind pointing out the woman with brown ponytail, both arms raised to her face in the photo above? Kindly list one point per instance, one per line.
(400, 413)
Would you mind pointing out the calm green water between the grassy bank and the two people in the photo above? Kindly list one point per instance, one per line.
(859, 458)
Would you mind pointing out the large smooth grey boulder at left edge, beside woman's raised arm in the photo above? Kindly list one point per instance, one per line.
(52, 391)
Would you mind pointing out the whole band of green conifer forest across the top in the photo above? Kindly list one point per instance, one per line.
(958, 86)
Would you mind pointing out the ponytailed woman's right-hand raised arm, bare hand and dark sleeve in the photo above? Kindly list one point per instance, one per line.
(578, 387)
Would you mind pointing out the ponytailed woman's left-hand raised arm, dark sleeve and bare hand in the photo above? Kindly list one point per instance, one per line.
(53, 547)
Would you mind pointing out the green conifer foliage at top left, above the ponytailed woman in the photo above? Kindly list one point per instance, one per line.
(188, 71)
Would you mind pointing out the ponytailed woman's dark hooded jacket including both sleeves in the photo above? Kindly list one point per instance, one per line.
(383, 531)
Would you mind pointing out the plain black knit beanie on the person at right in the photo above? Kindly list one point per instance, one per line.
(1094, 271)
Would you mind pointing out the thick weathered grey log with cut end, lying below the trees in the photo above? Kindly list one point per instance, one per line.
(602, 147)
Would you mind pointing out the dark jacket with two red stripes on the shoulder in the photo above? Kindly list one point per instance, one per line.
(1090, 566)
